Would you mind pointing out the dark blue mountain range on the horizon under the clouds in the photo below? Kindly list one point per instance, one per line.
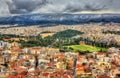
(56, 19)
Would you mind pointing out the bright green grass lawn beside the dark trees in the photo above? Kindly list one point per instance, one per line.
(86, 48)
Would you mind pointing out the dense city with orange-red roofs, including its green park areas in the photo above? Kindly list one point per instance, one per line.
(80, 51)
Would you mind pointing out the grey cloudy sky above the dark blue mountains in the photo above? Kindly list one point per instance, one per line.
(12, 7)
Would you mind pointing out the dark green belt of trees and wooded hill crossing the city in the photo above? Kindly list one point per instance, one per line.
(63, 38)
